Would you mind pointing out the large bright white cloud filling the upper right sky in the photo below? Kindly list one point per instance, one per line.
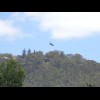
(65, 25)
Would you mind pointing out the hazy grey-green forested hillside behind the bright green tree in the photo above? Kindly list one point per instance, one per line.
(57, 69)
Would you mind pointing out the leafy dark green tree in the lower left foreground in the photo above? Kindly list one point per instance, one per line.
(11, 74)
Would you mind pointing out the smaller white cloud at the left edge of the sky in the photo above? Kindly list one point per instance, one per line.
(9, 31)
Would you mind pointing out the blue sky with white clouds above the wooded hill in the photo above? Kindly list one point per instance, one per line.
(71, 32)
